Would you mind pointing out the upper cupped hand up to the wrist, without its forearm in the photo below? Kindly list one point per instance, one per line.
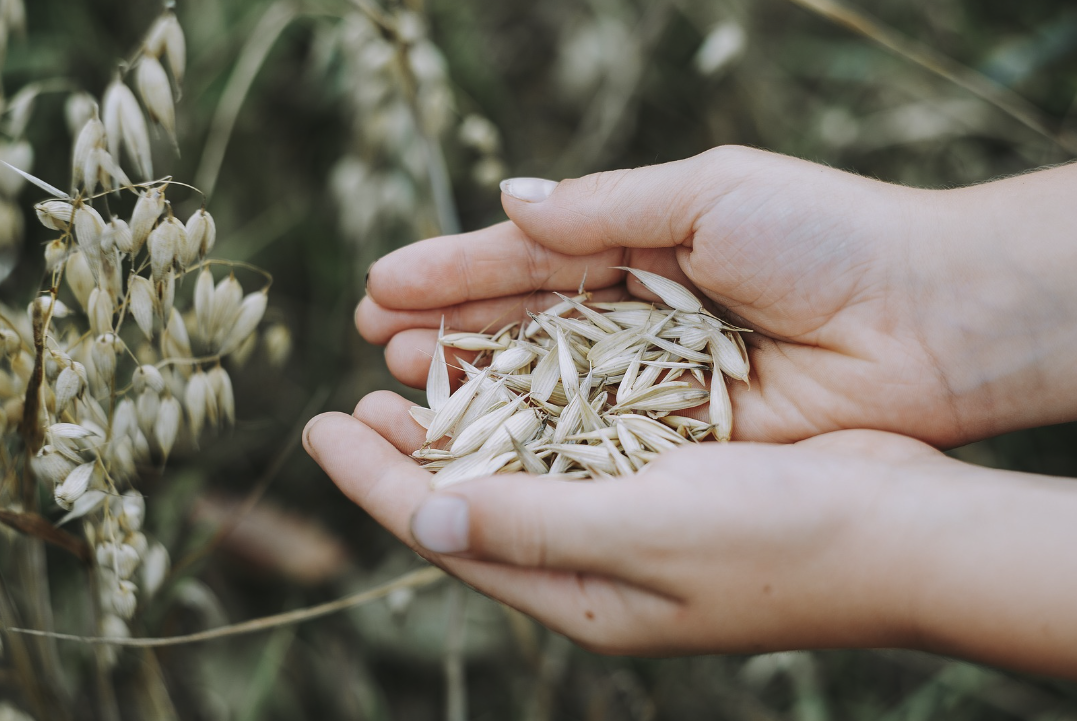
(817, 261)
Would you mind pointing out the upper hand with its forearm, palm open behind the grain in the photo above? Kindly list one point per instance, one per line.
(875, 306)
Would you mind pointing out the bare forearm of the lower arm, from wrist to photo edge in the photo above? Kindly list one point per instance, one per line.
(985, 567)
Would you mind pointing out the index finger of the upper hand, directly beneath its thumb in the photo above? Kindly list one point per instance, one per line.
(494, 262)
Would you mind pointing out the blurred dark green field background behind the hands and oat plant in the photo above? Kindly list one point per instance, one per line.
(327, 169)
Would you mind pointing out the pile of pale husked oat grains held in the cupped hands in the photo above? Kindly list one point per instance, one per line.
(585, 391)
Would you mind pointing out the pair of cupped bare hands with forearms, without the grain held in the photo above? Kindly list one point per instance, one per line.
(875, 308)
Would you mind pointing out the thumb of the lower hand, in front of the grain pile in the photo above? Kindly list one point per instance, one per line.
(530, 523)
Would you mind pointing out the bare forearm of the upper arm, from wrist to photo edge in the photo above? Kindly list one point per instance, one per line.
(999, 301)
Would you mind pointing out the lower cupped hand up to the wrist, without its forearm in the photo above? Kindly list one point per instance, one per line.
(717, 548)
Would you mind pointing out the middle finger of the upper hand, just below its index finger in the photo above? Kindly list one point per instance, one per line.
(379, 325)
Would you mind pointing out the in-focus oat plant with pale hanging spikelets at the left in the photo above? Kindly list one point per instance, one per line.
(111, 370)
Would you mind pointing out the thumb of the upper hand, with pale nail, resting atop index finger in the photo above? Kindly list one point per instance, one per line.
(651, 207)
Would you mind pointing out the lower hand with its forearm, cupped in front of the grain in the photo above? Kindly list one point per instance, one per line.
(855, 539)
